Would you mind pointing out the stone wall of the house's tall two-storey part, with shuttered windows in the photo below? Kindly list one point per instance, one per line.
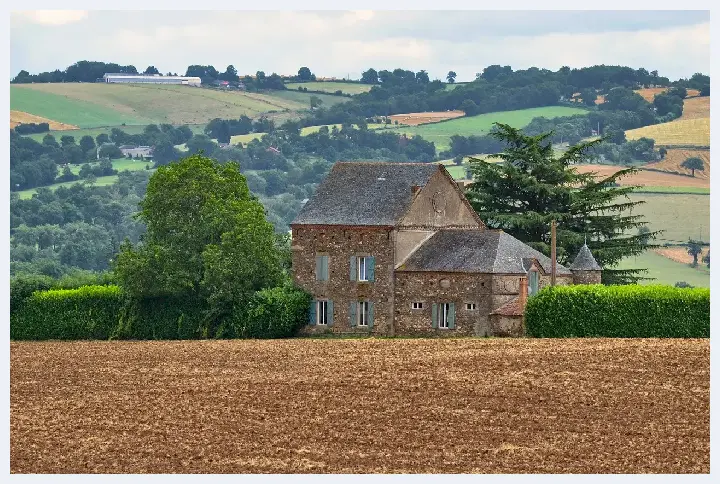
(340, 243)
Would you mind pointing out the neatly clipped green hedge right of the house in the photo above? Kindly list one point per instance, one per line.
(631, 311)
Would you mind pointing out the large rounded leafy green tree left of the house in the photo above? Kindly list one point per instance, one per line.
(207, 239)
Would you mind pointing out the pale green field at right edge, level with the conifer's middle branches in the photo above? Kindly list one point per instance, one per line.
(680, 216)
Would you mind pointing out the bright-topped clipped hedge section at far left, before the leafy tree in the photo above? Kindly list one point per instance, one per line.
(90, 312)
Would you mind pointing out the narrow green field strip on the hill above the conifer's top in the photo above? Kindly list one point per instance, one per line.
(441, 132)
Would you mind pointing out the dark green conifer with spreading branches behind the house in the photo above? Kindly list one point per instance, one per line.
(532, 186)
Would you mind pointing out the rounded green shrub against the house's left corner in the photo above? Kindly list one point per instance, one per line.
(271, 313)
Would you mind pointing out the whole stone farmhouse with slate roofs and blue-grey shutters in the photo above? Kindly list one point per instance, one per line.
(396, 249)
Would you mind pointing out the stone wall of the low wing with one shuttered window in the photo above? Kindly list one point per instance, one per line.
(435, 287)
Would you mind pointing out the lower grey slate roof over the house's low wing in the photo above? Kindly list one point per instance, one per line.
(478, 251)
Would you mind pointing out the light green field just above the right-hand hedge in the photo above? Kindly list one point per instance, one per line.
(666, 271)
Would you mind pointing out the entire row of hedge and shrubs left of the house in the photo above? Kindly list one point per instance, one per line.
(102, 312)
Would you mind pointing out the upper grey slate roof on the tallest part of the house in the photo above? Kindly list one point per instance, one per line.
(365, 193)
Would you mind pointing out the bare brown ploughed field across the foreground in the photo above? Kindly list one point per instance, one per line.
(361, 406)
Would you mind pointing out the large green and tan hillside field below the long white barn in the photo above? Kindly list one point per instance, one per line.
(90, 105)
